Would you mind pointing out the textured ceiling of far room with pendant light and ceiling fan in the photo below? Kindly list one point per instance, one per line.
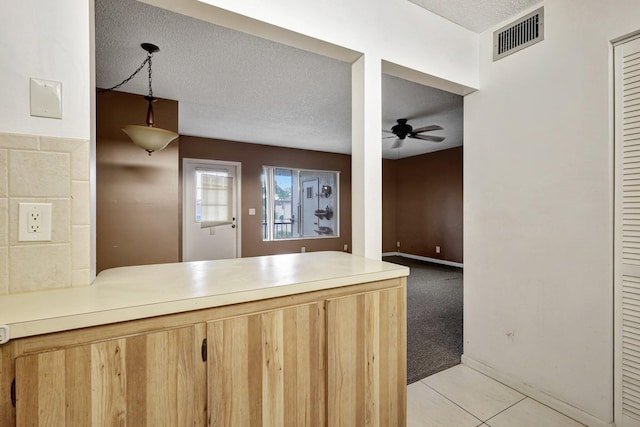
(238, 87)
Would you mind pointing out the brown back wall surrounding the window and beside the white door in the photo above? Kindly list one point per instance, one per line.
(253, 157)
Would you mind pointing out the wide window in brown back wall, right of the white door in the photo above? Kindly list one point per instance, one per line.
(299, 203)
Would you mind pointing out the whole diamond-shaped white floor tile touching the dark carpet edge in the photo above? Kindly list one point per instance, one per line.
(477, 393)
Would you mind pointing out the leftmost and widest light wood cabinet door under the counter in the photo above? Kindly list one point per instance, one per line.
(144, 380)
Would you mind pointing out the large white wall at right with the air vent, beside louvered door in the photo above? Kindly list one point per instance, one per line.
(538, 207)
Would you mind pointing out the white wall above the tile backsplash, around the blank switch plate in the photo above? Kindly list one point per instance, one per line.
(48, 40)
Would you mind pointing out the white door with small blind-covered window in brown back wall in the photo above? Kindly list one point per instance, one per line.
(210, 226)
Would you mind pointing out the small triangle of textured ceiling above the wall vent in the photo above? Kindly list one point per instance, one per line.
(476, 16)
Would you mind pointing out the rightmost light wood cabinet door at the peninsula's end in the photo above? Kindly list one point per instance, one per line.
(366, 359)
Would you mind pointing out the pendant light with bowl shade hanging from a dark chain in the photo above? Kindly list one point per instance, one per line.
(149, 137)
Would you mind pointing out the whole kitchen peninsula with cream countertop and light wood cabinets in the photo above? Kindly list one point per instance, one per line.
(298, 339)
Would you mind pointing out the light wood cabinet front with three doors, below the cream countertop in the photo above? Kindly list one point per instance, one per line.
(326, 358)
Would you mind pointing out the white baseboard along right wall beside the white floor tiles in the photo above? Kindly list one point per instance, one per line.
(542, 397)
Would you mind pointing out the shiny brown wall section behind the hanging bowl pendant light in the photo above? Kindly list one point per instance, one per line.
(136, 194)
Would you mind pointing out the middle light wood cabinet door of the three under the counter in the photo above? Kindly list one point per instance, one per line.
(267, 369)
